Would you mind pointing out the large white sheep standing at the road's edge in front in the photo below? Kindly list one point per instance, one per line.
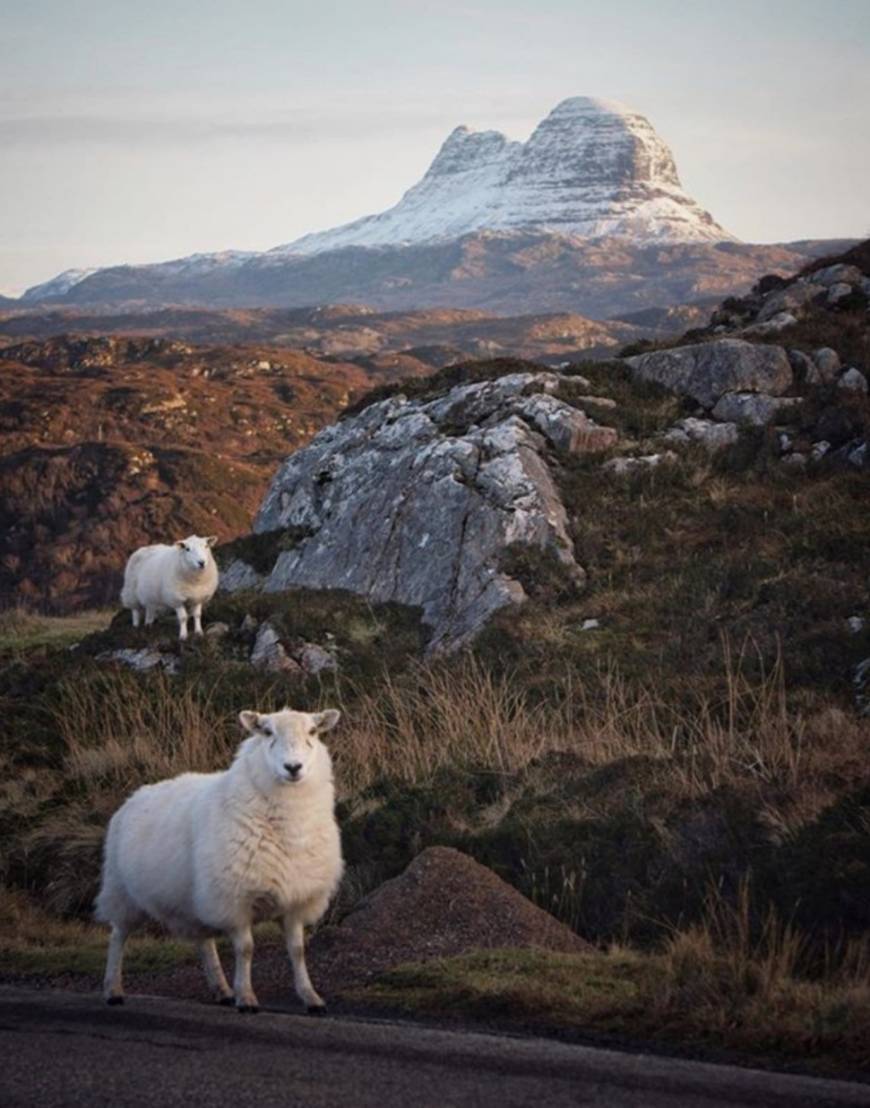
(211, 854)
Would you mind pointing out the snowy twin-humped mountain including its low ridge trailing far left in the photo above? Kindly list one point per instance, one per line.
(592, 170)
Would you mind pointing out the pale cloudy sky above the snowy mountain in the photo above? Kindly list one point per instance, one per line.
(140, 132)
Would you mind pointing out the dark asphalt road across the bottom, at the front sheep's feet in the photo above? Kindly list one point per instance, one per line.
(68, 1050)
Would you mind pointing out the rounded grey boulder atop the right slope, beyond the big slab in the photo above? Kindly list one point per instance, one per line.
(708, 371)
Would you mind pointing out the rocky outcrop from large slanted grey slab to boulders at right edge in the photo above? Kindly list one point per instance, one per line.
(434, 494)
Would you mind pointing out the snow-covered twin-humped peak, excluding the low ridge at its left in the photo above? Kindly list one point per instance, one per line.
(592, 169)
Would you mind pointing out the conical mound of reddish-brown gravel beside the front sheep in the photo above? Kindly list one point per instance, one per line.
(445, 904)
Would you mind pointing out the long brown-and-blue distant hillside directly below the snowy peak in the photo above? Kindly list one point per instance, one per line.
(506, 273)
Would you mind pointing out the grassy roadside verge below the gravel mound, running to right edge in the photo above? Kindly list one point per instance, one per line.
(689, 1000)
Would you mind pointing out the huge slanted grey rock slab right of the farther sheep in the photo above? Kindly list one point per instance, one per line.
(416, 501)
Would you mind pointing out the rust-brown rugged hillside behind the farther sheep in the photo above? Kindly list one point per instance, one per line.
(110, 443)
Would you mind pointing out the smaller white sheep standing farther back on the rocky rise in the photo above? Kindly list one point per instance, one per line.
(177, 577)
